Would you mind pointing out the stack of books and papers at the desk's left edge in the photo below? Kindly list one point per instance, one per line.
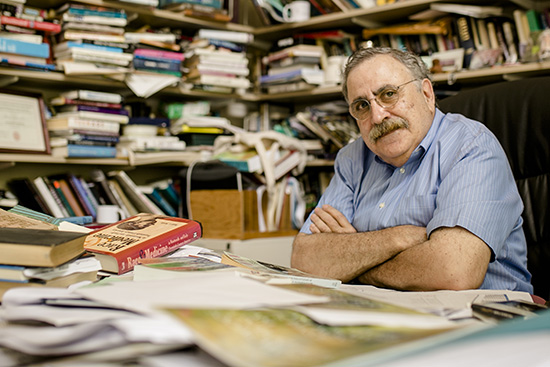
(37, 254)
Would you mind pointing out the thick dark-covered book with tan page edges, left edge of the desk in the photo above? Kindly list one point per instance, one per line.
(39, 247)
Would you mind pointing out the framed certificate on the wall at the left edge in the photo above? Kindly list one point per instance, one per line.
(22, 123)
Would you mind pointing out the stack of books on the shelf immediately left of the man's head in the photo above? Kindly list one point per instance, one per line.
(293, 68)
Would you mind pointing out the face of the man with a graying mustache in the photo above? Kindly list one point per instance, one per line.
(406, 123)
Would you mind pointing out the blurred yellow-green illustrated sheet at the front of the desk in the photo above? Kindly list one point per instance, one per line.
(283, 337)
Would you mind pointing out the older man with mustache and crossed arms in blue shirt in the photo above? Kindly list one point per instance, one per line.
(424, 201)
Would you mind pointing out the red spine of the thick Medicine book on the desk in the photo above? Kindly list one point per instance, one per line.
(158, 247)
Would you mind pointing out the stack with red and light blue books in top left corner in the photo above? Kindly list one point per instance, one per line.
(24, 38)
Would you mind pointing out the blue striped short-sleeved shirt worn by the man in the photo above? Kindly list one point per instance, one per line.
(459, 175)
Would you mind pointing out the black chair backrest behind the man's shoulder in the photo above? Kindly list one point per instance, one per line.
(518, 113)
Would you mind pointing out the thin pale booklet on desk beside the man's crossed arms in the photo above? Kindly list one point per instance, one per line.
(276, 274)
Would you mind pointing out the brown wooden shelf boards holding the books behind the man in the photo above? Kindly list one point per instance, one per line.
(141, 15)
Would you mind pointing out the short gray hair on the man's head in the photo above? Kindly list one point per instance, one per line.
(414, 63)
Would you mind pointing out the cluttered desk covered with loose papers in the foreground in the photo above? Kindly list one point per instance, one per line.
(191, 306)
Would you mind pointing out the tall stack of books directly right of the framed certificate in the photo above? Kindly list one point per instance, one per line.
(87, 124)
